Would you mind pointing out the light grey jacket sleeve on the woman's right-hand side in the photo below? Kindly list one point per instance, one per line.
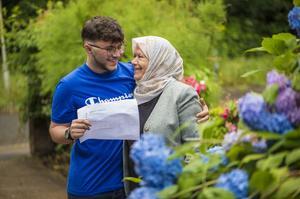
(188, 106)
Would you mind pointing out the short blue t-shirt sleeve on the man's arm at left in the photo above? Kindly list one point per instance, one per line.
(63, 110)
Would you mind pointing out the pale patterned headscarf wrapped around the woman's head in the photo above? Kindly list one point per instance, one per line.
(165, 65)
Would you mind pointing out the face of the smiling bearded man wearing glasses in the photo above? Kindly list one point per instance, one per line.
(104, 54)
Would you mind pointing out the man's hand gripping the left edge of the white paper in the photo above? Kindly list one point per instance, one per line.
(78, 128)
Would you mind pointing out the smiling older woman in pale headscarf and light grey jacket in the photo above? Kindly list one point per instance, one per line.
(165, 103)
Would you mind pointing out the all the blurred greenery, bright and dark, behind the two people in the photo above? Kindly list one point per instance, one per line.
(43, 42)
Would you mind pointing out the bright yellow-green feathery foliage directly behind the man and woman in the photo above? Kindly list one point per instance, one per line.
(193, 28)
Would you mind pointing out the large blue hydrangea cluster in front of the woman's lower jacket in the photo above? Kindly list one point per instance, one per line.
(150, 155)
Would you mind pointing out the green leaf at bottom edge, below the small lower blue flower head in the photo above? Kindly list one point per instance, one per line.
(215, 193)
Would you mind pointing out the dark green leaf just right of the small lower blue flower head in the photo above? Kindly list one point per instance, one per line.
(260, 181)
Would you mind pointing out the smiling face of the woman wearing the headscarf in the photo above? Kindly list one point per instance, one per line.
(140, 63)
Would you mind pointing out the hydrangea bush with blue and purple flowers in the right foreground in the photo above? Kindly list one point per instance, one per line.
(258, 158)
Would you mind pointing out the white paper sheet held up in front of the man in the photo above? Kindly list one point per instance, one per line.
(117, 120)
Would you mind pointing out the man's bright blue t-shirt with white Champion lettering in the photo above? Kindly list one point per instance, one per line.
(96, 165)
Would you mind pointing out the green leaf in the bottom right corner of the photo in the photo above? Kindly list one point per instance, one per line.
(288, 188)
